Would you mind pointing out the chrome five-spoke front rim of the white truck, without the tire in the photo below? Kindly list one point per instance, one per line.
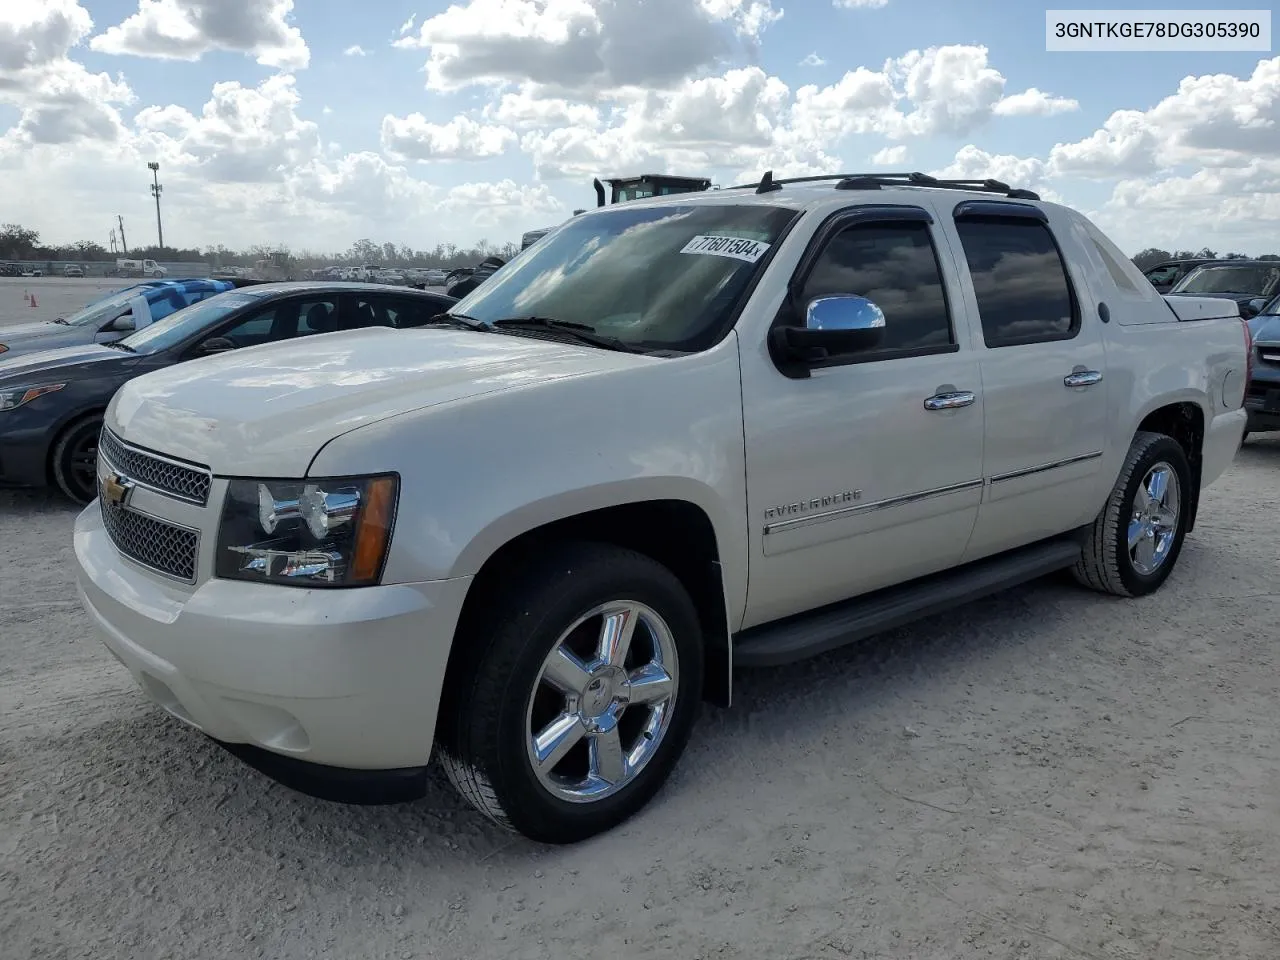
(602, 702)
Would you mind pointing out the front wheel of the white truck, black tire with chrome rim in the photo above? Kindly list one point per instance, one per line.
(502, 694)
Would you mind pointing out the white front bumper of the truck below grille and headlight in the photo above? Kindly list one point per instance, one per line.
(346, 680)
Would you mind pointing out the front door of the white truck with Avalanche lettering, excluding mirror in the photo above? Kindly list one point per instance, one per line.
(856, 482)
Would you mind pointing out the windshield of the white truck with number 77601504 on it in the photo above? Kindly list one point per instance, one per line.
(659, 278)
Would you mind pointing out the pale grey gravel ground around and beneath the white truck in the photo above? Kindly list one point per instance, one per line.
(1044, 775)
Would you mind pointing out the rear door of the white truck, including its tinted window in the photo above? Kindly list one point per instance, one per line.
(1044, 373)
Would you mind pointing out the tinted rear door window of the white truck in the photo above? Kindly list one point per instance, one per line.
(1023, 291)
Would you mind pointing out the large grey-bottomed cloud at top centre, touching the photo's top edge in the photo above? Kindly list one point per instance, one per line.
(583, 47)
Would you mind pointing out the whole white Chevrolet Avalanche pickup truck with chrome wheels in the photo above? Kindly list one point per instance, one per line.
(678, 436)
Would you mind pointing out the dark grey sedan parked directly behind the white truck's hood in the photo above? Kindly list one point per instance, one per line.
(52, 403)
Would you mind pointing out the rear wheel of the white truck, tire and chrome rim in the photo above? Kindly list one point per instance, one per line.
(1108, 564)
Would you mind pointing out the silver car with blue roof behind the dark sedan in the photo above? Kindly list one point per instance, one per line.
(111, 318)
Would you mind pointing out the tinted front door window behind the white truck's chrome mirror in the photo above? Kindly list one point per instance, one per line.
(895, 267)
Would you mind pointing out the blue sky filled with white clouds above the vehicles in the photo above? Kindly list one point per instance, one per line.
(313, 125)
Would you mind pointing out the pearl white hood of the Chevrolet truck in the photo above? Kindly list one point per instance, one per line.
(267, 412)
